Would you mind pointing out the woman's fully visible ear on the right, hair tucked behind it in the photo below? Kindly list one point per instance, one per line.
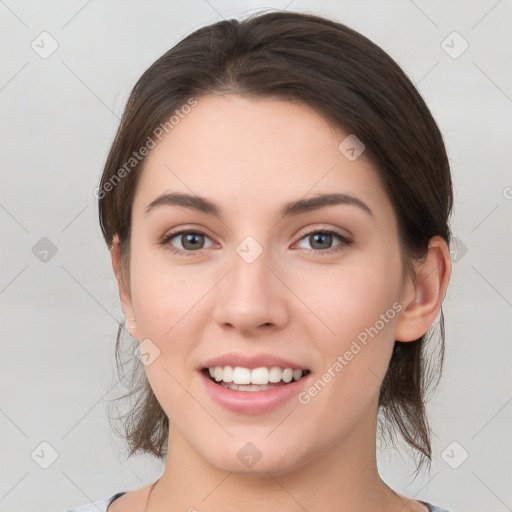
(422, 299)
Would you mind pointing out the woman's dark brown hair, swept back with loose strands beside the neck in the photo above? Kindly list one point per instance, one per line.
(347, 79)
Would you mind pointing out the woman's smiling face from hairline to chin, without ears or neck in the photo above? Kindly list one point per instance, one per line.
(313, 293)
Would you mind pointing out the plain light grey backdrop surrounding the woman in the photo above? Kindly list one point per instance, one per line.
(58, 317)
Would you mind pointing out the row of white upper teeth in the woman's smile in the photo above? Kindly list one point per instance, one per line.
(258, 376)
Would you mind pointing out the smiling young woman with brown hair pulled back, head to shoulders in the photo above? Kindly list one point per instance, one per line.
(276, 202)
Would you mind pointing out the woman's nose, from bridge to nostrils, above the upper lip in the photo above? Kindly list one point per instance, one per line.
(251, 298)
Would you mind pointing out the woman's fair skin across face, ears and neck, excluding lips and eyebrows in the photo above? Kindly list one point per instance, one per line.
(250, 156)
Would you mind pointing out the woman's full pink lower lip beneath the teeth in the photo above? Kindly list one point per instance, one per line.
(252, 402)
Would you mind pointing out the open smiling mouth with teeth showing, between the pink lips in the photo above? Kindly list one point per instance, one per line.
(238, 378)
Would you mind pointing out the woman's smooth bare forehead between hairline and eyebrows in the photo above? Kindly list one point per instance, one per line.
(251, 152)
